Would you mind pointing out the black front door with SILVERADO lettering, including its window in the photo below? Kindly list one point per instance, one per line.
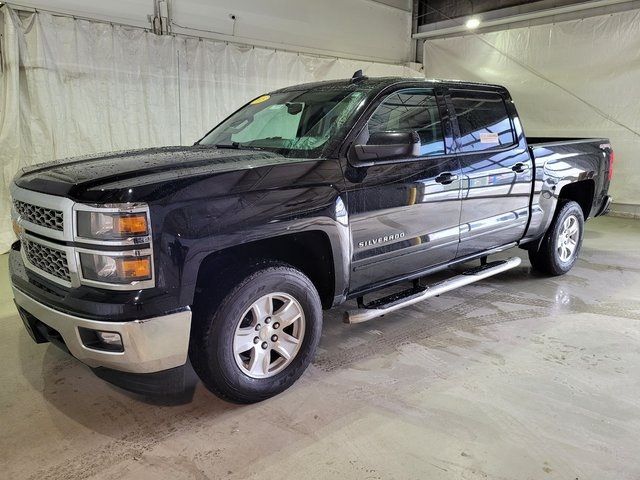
(404, 214)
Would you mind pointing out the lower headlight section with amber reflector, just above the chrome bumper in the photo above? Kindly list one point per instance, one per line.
(115, 269)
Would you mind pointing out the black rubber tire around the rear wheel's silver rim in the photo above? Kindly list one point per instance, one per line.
(548, 258)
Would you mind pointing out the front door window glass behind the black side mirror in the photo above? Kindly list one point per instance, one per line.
(408, 110)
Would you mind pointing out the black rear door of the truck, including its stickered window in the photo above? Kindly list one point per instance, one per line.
(496, 169)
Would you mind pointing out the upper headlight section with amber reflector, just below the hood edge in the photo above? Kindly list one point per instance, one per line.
(112, 226)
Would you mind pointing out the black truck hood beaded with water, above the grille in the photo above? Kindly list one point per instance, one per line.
(134, 169)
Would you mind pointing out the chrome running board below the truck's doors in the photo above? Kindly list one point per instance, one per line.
(394, 302)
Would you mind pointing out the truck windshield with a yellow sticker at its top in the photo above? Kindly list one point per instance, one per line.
(296, 123)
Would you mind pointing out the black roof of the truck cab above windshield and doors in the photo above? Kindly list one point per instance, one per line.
(380, 83)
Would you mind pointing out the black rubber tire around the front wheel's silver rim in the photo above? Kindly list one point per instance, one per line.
(216, 320)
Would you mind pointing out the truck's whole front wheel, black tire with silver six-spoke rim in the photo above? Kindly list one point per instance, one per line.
(257, 340)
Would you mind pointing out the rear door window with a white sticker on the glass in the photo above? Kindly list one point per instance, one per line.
(483, 121)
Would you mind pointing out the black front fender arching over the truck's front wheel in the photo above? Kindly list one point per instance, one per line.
(192, 232)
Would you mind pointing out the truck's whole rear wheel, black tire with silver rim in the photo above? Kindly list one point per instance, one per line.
(561, 244)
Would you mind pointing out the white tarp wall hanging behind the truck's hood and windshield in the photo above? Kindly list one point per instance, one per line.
(71, 87)
